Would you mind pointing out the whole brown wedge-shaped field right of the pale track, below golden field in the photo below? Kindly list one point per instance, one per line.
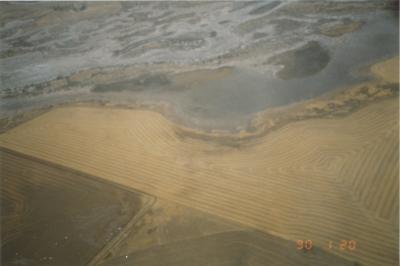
(178, 235)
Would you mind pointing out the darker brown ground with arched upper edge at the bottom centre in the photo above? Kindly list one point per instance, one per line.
(229, 248)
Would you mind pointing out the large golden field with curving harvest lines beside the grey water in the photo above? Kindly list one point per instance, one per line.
(320, 179)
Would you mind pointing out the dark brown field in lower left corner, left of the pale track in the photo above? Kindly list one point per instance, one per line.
(52, 215)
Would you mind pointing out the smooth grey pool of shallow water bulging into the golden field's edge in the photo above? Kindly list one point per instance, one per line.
(229, 102)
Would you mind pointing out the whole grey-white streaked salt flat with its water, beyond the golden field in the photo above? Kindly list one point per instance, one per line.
(318, 44)
